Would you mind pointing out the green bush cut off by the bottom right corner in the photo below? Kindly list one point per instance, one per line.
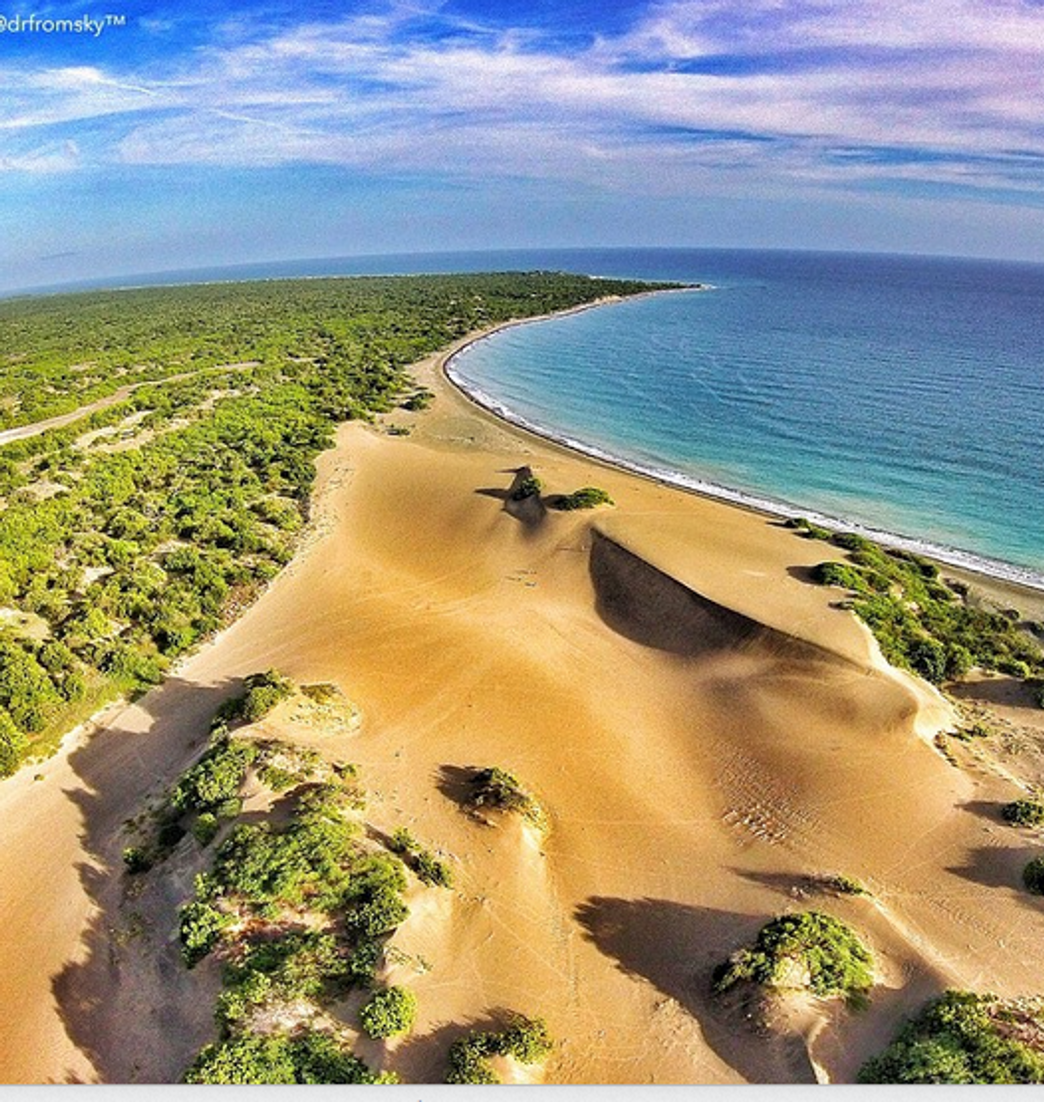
(966, 1039)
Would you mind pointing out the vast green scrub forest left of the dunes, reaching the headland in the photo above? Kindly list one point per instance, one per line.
(142, 528)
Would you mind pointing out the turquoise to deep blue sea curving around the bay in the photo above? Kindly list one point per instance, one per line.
(902, 396)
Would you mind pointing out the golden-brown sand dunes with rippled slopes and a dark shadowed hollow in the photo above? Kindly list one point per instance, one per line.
(705, 729)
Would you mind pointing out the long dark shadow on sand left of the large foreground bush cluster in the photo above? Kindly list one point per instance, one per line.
(127, 986)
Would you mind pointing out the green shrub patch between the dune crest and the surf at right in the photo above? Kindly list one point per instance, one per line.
(921, 622)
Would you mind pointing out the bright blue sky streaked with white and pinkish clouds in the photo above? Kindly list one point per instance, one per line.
(198, 134)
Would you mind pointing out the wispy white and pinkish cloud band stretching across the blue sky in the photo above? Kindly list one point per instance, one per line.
(716, 94)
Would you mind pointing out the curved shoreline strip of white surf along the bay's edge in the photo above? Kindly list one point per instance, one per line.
(980, 567)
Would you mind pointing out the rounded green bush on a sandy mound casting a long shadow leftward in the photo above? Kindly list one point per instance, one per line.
(811, 950)
